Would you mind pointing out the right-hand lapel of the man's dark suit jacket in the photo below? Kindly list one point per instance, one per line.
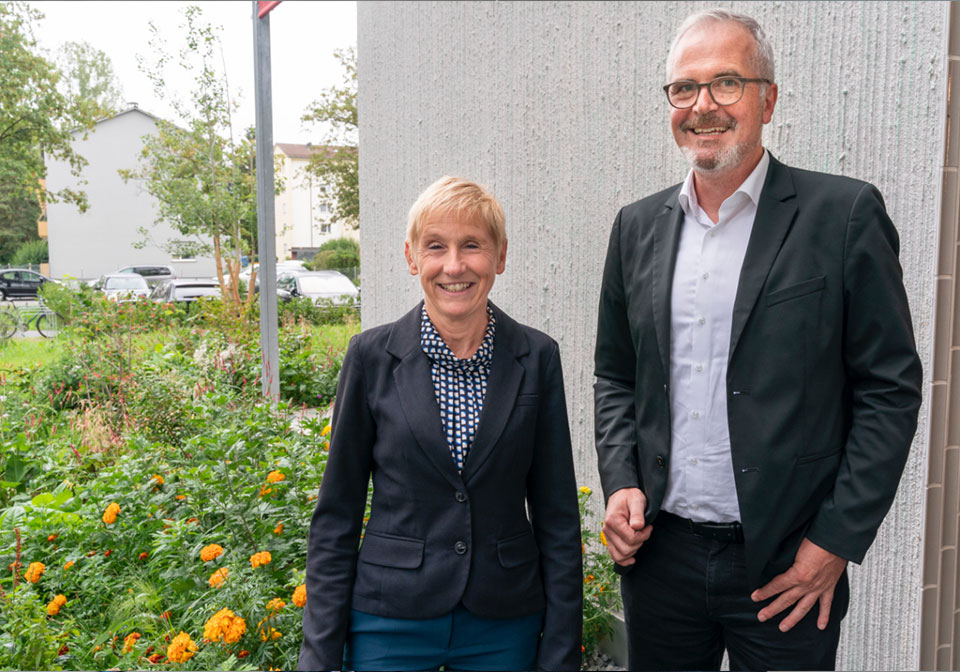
(775, 215)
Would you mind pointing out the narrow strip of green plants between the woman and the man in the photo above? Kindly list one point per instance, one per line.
(601, 586)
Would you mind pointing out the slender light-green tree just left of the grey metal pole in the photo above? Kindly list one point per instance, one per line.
(201, 176)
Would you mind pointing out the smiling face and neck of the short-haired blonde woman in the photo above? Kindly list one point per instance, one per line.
(457, 261)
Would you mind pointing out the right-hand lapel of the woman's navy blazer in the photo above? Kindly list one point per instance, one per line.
(506, 373)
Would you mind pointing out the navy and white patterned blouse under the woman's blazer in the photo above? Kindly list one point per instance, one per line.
(460, 385)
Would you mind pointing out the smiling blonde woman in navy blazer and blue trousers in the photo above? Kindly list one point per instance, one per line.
(458, 412)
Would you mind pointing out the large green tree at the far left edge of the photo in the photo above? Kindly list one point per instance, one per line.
(36, 119)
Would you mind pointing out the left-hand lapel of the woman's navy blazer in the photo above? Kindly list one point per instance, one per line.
(417, 398)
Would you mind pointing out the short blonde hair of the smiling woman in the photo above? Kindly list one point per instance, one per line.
(462, 198)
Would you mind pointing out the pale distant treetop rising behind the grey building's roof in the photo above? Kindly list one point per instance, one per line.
(88, 79)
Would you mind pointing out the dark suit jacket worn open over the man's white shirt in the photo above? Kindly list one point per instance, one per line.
(823, 378)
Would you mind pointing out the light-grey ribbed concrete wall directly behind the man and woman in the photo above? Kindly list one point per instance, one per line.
(557, 107)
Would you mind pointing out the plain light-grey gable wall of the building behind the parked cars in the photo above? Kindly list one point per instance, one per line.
(103, 239)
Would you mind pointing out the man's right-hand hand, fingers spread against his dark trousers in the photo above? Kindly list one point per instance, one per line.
(811, 579)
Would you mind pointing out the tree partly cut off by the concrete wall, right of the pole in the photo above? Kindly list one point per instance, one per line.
(338, 165)
